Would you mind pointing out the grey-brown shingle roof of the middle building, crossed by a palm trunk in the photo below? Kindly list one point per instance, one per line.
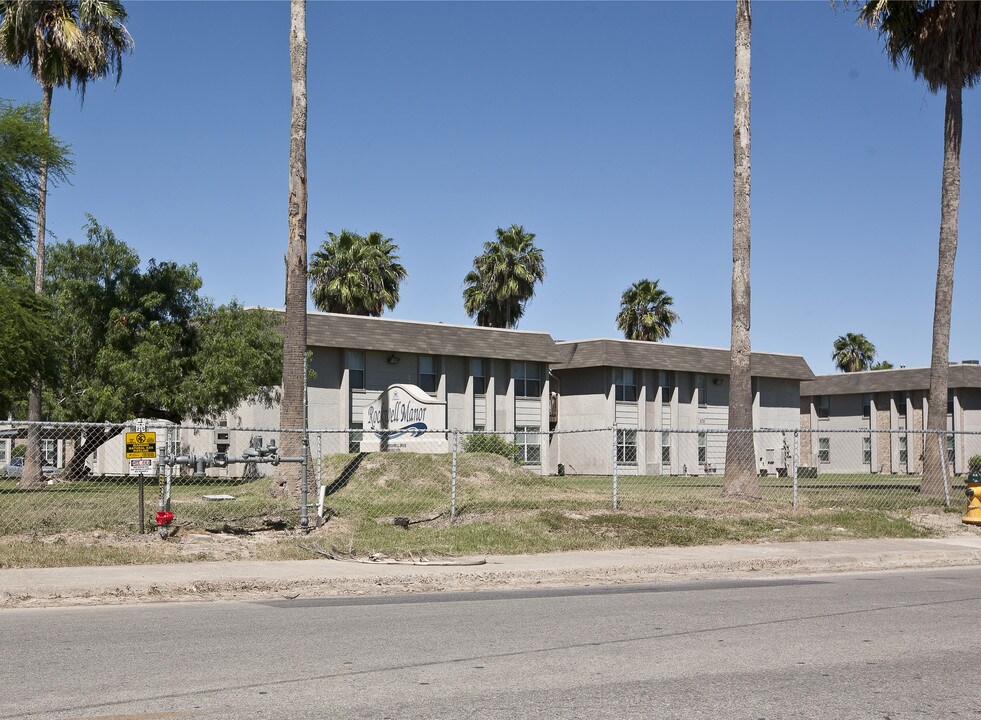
(685, 358)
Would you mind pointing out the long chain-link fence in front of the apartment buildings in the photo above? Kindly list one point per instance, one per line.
(60, 478)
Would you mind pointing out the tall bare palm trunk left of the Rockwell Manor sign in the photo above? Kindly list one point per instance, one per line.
(295, 322)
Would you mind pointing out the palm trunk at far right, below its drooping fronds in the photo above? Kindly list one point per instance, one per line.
(940, 361)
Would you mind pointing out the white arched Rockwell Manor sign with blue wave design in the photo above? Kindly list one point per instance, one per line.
(404, 417)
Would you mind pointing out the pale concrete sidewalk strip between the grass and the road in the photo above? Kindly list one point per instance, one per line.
(216, 581)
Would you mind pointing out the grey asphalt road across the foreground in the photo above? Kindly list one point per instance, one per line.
(886, 645)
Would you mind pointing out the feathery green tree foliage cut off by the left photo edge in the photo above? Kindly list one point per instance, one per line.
(26, 326)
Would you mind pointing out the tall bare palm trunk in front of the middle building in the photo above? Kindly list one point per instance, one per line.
(740, 475)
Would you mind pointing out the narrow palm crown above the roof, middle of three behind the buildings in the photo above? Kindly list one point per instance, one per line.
(503, 278)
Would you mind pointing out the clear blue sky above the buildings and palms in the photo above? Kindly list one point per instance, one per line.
(604, 128)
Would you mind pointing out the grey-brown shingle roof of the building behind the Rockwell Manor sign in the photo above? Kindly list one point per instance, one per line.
(388, 335)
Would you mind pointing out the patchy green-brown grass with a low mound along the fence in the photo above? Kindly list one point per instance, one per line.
(497, 508)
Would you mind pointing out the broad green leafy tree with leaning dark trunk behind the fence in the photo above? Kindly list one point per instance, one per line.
(144, 343)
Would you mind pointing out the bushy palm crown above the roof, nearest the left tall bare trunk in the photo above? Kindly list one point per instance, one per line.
(356, 275)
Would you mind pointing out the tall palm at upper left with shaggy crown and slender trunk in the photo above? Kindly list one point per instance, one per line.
(63, 43)
